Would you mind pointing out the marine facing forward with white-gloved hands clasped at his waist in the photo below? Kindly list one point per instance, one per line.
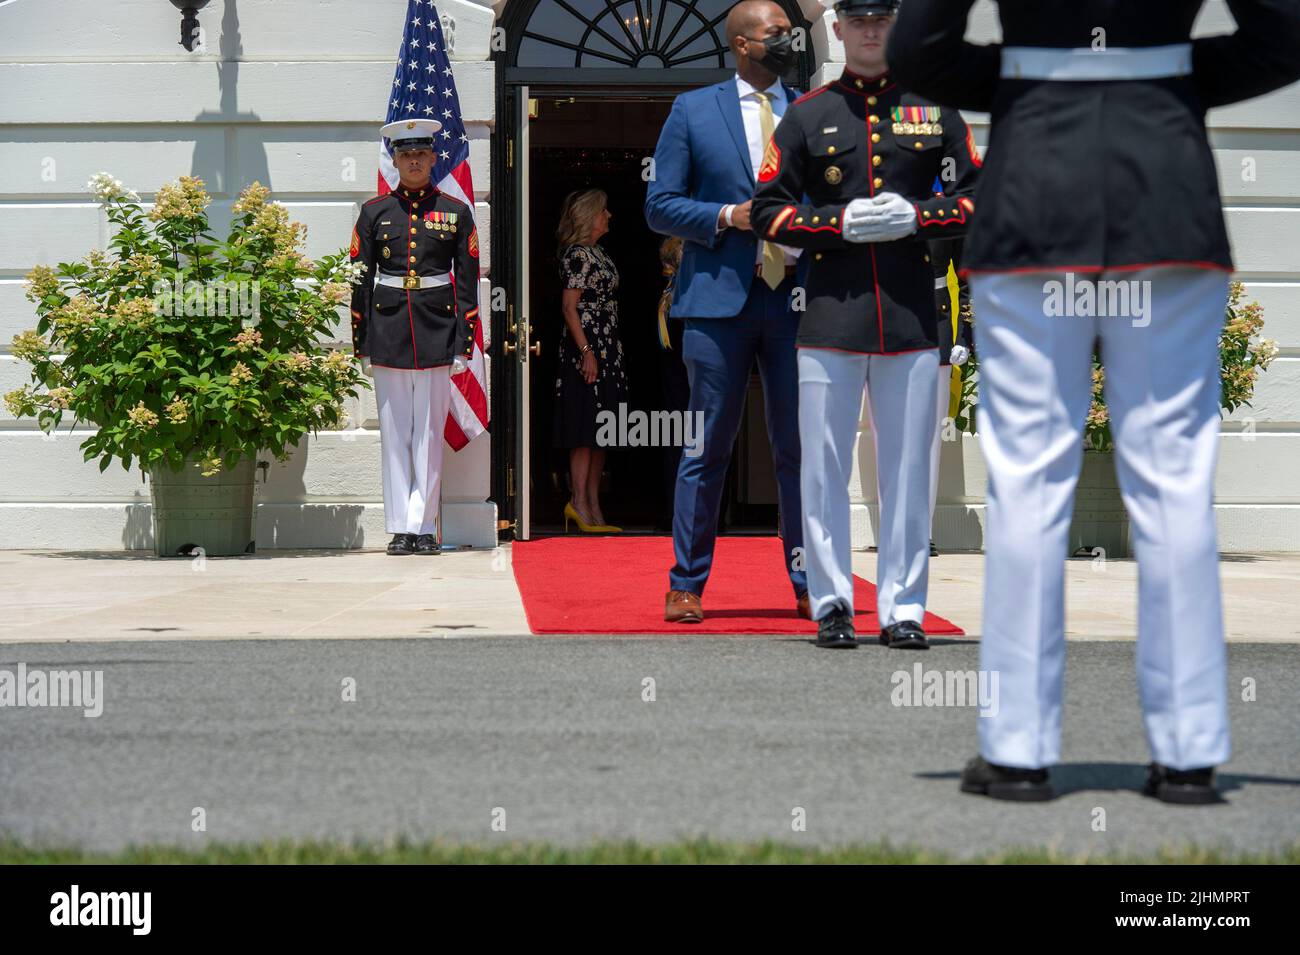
(848, 179)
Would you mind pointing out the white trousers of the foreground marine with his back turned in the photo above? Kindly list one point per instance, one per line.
(1163, 393)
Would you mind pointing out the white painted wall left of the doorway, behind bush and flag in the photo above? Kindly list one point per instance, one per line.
(289, 93)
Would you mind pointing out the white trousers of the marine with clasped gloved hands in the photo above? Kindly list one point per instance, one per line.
(902, 407)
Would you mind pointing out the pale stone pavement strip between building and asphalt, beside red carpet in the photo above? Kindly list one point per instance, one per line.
(73, 596)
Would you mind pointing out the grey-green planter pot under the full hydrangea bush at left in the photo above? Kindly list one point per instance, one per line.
(215, 514)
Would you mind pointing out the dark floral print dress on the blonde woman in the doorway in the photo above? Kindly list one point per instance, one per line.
(578, 403)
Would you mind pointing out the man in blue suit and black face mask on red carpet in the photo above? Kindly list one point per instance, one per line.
(734, 292)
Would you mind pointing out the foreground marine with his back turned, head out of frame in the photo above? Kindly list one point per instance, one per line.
(1100, 176)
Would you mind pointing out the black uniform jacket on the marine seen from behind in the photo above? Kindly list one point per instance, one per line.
(1085, 176)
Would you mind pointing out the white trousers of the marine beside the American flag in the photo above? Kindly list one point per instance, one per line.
(413, 414)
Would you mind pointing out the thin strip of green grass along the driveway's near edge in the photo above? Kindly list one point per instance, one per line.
(608, 853)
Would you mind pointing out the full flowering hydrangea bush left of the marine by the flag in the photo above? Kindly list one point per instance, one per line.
(176, 346)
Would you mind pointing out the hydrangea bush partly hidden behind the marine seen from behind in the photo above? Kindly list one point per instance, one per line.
(1242, 357)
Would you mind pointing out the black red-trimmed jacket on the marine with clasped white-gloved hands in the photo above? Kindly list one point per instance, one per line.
(855, 138)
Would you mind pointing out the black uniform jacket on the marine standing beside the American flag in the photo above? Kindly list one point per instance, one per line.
(413, 233)
